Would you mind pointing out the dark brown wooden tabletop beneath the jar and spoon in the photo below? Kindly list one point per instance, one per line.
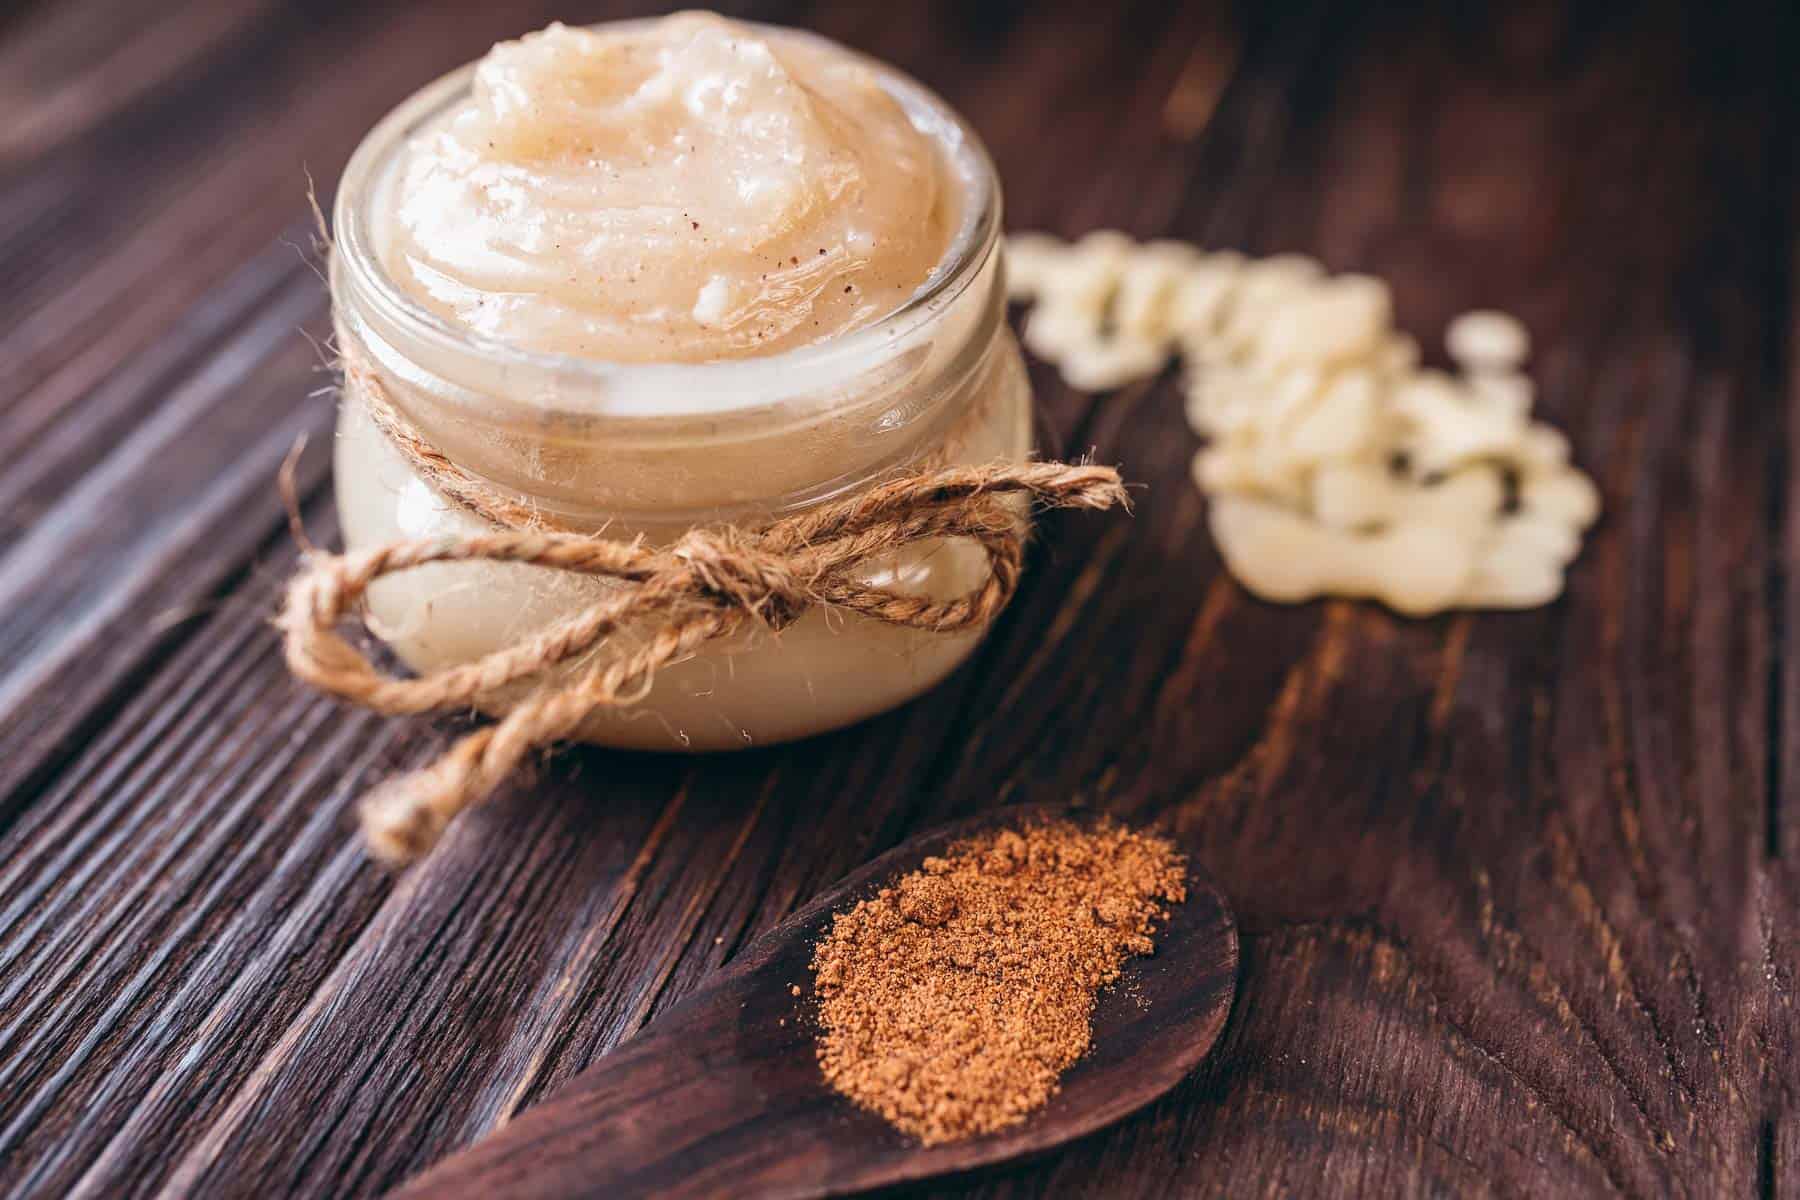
(1518, 891)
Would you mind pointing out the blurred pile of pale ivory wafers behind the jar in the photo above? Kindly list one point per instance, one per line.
(1335, 463)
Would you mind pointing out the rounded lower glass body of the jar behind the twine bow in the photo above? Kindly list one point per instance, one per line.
(823, 672)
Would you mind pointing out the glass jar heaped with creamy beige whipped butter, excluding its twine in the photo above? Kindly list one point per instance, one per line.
(667, 274)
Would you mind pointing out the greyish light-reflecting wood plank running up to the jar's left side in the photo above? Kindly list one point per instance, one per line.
(118, 569)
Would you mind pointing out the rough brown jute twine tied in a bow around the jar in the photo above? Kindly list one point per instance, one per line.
(708, 586)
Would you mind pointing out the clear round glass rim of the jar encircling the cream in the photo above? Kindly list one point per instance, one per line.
(969, 251)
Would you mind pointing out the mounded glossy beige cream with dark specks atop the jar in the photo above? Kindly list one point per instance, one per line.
(681, 190)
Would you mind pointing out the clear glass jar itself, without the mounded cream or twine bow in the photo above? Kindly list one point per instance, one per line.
(654, 451)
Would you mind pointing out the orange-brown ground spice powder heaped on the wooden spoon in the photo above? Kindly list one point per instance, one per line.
(951, 1001)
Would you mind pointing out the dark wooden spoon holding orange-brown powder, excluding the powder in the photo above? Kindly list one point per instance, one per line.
(723, 1095)
